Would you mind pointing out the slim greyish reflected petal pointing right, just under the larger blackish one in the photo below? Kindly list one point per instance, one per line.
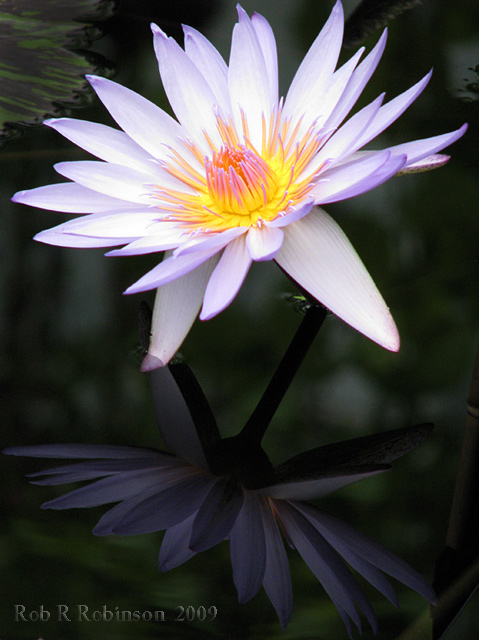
(316, 488)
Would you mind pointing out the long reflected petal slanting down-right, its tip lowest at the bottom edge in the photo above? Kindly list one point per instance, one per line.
(326, 565)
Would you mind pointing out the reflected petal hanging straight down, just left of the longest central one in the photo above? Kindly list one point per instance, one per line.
(248, 548)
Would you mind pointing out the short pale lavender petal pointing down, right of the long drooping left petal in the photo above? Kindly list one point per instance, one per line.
(226, 279)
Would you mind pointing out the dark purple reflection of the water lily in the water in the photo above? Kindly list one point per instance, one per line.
(209, 490)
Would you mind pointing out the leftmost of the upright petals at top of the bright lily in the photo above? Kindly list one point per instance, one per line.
(191, 98)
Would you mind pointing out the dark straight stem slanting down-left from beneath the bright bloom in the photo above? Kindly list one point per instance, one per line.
(255, 428)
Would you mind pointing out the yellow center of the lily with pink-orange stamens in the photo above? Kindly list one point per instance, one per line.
(241, 186)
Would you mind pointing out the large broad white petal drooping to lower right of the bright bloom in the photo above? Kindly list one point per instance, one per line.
(317, 255)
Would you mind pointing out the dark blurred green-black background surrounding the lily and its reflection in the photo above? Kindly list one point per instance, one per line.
(69, 355)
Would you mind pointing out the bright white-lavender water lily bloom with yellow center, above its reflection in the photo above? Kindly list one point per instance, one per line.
(237, 178)
